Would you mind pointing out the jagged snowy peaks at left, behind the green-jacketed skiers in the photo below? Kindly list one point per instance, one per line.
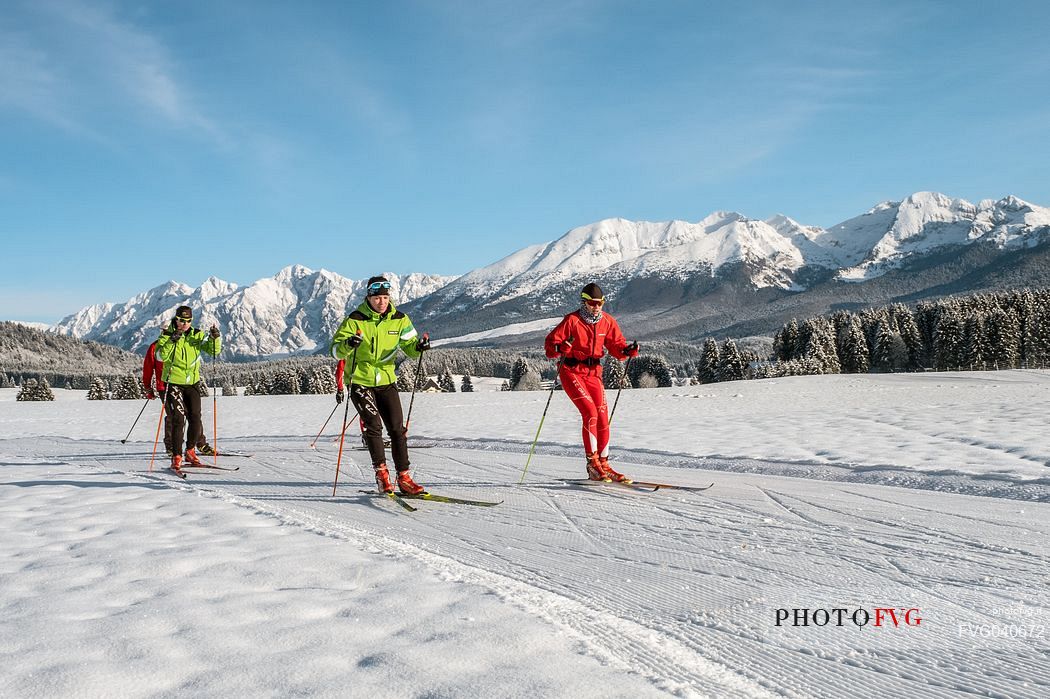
(297, 311)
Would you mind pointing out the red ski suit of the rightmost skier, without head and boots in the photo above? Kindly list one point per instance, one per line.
(580, 371)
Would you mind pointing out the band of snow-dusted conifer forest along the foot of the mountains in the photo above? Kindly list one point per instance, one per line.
(1002, 330)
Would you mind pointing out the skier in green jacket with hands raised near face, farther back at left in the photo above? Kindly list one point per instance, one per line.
(180, 348)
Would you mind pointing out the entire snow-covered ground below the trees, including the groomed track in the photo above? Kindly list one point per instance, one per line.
(848, 497)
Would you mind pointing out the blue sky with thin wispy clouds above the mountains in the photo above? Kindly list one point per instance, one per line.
(142, 142)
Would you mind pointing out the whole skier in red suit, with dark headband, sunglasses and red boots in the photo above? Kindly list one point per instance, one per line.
(581, 341)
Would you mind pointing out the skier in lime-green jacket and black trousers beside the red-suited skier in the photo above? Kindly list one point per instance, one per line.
(369, 341)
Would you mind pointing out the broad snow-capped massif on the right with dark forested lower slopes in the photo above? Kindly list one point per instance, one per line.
(683, 279)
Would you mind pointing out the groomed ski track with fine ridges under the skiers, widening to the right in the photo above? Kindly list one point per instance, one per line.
(681, 587)
